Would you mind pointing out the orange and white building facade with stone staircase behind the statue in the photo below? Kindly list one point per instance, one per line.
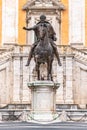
(69, 19)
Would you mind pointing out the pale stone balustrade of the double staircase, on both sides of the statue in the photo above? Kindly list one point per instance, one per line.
(23, 50)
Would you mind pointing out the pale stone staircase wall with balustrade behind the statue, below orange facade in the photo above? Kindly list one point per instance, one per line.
(14, 76)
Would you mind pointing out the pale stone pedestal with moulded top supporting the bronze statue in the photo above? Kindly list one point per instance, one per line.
(43, 106)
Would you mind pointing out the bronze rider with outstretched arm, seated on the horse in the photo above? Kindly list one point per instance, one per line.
(52, 37)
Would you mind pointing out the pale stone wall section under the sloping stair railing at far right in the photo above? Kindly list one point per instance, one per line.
(80, 84)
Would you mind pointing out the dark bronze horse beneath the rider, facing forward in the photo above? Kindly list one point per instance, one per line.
(43, 52)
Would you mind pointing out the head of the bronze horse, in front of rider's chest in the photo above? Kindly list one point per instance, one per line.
(42, 31)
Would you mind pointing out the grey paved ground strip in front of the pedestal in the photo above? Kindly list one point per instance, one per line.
(34, 126)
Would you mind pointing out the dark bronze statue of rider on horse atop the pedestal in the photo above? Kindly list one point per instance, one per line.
(44, 48)
